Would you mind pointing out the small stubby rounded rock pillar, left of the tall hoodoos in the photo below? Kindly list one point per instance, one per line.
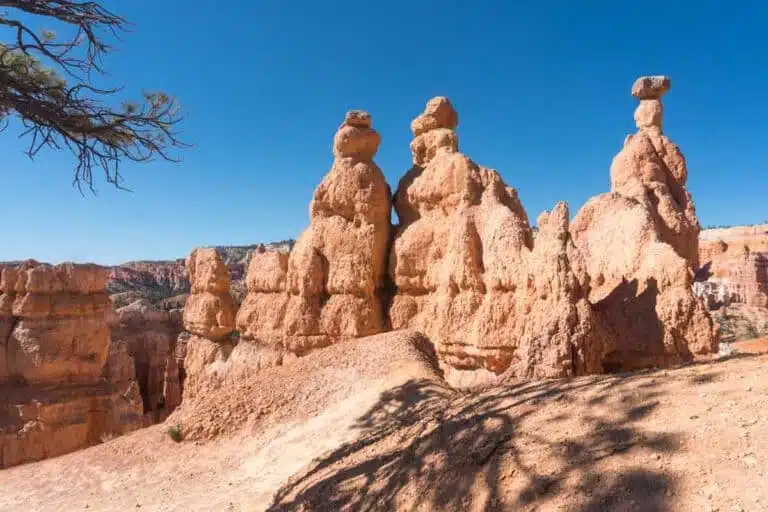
(209, 311)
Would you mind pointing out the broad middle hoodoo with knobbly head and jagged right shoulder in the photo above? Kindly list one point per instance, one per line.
(468, 273)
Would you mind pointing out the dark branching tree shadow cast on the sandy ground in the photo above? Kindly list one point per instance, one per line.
(426, 447)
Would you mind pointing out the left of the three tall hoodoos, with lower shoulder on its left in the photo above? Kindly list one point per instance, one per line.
(329, 288)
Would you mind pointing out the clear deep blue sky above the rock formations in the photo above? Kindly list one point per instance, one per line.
(542, 91)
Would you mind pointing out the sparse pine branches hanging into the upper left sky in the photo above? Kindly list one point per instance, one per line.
(46, 81)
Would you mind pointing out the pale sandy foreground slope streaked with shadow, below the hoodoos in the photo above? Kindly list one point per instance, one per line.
(688, 439)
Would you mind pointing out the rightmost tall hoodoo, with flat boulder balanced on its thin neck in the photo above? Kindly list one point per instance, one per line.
(640, 247)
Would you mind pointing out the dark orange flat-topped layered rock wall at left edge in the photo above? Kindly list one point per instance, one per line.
(54, 345)
